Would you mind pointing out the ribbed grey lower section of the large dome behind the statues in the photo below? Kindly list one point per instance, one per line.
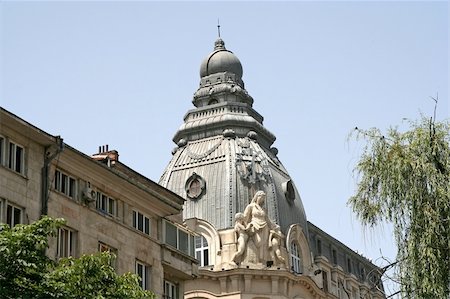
(215, 159)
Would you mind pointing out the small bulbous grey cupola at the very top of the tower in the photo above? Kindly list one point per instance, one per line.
(220, 60)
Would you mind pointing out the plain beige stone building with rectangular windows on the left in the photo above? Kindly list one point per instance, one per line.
(107, 206)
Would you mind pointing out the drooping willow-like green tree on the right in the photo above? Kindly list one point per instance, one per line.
(404, 178)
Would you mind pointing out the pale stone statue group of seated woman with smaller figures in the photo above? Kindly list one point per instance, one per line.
(258, 238)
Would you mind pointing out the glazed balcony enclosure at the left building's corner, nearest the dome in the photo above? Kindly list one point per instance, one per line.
(178, 238)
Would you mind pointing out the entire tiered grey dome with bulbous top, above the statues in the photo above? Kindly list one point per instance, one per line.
(224, 153)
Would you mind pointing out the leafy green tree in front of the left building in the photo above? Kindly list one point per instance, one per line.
(26, 272)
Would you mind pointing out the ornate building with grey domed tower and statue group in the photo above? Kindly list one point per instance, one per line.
(254, 240)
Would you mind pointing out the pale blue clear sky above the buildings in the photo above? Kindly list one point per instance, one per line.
(123, 74)
